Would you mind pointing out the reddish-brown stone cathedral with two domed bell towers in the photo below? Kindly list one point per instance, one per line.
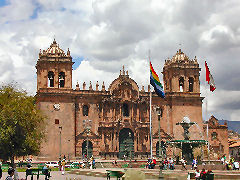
(114, 121)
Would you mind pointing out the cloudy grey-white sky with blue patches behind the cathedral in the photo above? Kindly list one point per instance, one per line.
(112, 33)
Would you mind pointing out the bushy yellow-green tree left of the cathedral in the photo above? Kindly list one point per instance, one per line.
(21, 124)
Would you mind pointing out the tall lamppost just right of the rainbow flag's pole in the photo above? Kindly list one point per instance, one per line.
(159, 111)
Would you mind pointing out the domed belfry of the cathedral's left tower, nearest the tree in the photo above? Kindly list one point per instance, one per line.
(54, 69)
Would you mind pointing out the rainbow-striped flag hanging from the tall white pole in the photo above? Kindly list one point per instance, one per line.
(154, 81)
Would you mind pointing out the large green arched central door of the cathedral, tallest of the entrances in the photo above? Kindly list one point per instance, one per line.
(126, 143)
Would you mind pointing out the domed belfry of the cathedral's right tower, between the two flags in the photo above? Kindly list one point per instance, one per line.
(181, 75)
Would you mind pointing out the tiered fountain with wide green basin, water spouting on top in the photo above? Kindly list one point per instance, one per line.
(187, 145)
